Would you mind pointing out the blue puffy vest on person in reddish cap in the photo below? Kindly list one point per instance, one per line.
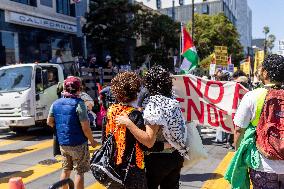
(68, 126)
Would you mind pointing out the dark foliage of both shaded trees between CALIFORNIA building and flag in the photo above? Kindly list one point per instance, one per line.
(111, 24)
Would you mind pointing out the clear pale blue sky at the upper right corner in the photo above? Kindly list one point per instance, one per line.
(270, 13)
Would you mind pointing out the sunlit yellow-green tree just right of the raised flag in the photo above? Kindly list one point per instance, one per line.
(216, 30)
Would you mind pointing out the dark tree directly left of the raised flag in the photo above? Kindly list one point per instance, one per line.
(160, 36)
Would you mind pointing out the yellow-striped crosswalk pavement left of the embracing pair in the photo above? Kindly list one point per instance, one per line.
(30, 157)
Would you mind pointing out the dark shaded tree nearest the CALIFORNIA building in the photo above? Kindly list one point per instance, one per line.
(110, 26)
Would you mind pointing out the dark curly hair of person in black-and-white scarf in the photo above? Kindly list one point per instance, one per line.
(158, 81)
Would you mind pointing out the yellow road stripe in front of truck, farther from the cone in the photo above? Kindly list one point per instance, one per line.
(10, 154)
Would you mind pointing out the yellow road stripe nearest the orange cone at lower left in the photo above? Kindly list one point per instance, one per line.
(31, 173)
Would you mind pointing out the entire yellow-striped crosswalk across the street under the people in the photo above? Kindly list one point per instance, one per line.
(31, 157)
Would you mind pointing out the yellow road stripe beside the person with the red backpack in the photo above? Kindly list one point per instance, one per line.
(218, 181)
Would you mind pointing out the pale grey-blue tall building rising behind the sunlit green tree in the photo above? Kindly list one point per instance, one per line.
(237, 11)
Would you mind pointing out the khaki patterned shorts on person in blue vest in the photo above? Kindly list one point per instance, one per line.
(76, 158)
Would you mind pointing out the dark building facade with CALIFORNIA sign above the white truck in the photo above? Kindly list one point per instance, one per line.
(33, 30)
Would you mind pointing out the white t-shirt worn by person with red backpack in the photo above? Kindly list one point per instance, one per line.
(244, 115)
